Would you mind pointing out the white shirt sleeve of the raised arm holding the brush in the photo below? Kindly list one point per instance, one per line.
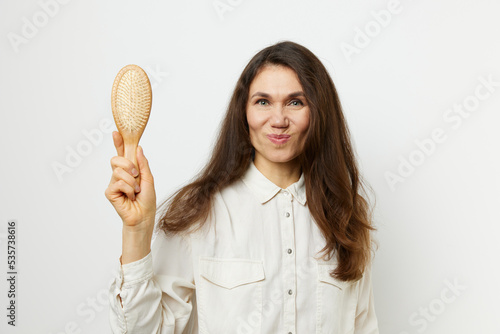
(156, 291)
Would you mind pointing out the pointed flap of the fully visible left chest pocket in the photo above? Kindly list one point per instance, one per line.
(230, 273)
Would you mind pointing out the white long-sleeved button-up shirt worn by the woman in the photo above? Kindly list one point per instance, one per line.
(250, 269)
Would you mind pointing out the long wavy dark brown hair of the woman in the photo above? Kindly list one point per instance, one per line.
(333, 182)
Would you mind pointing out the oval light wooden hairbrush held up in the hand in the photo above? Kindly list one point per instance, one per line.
(131, 104)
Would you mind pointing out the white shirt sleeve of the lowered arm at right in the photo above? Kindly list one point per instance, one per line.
(366, 319)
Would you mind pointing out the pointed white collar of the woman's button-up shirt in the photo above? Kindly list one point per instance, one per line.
(265, 189)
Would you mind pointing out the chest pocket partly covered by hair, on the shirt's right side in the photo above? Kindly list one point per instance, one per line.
(337, 301)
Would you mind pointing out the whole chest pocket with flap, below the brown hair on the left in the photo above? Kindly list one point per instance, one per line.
(229, 295)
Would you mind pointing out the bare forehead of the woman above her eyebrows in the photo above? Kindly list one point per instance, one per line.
(275, 79)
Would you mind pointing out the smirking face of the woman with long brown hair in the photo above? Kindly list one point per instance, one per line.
(277, 115)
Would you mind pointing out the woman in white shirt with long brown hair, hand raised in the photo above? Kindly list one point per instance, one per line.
(271, 237)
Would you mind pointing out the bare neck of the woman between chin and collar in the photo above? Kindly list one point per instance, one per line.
(282, 174)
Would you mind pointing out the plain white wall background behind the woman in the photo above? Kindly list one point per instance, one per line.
(438, 226)
